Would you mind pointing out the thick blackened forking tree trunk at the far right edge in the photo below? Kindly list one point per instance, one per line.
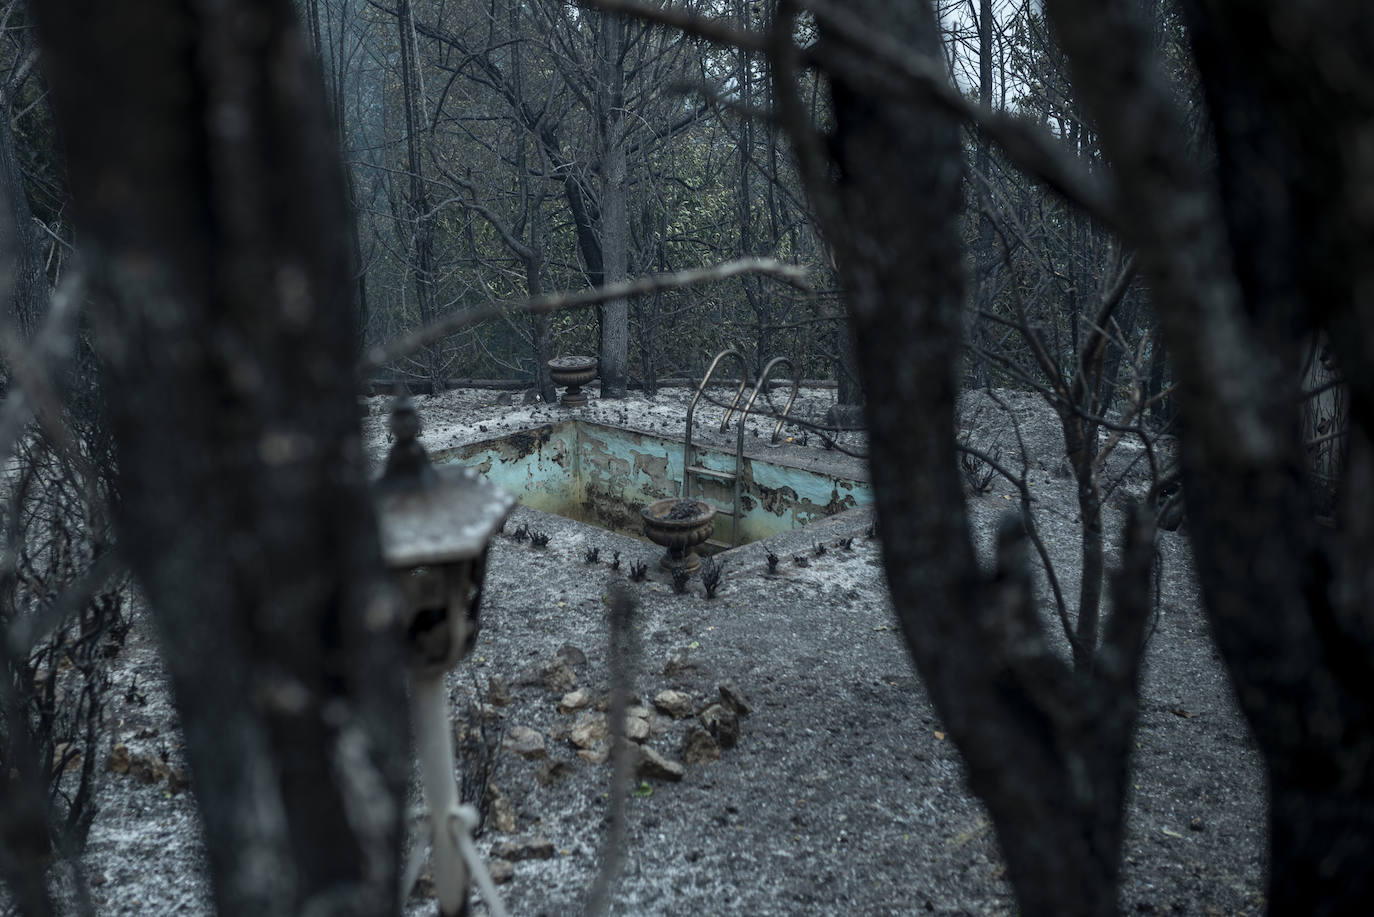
(1247, 263)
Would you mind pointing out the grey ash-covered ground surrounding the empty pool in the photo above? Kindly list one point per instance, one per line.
(840, 795)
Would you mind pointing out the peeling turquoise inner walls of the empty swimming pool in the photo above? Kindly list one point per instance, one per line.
(605, 475)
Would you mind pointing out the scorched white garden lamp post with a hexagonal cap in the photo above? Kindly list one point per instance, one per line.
(436, 526)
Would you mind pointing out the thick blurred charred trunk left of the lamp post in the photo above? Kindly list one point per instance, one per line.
(210, 199)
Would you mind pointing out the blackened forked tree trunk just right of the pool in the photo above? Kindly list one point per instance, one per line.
(1046, 746)
